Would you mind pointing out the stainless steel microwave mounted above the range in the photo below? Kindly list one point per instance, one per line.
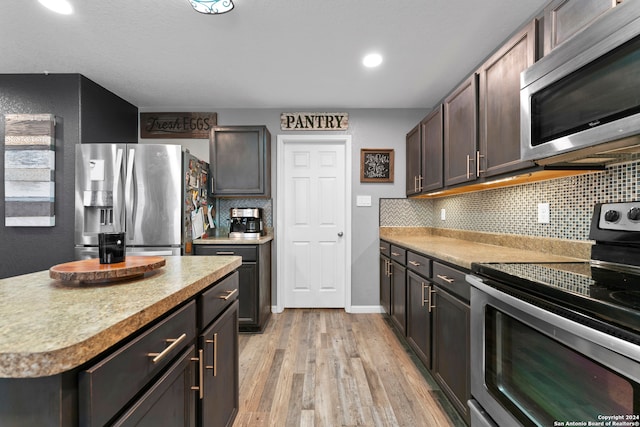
(581, 102)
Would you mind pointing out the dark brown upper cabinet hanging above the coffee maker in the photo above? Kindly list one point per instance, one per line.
(240, 161)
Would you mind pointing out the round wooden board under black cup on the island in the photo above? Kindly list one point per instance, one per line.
(90, 270)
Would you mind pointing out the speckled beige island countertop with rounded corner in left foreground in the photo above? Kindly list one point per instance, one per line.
(48, 327)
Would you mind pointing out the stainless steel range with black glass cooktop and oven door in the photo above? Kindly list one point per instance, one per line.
(559, 344)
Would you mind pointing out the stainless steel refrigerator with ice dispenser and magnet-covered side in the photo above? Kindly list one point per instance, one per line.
(146, 190)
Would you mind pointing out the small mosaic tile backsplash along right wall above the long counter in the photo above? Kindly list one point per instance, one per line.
(514, 210)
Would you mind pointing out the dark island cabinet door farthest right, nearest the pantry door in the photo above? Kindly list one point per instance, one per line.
(220, 401)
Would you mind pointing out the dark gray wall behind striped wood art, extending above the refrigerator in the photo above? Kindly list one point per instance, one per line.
(85, 112)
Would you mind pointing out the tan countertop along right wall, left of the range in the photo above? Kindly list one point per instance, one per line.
(463, 248)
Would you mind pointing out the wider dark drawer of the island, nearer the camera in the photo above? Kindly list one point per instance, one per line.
(108, 386)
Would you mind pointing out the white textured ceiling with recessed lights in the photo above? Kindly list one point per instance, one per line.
(264, 53)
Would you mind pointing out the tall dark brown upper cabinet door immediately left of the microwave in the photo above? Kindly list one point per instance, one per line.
(499, 112)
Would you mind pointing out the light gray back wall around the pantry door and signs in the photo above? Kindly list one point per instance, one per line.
(369, 128)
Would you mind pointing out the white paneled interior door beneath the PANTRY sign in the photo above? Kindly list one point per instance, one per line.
(314, 266)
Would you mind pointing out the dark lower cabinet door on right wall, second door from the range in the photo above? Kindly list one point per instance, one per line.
(419, 316)
